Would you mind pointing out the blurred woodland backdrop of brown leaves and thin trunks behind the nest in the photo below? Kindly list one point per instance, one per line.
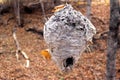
(29, 17)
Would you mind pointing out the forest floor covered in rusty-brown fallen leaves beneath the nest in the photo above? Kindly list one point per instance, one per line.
(91, 65)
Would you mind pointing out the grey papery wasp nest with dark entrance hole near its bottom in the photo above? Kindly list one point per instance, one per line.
(67, 33)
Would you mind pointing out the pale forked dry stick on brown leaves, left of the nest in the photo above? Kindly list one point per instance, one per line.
(19, 50)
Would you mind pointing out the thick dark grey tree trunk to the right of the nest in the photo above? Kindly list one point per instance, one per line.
(112, 39)
